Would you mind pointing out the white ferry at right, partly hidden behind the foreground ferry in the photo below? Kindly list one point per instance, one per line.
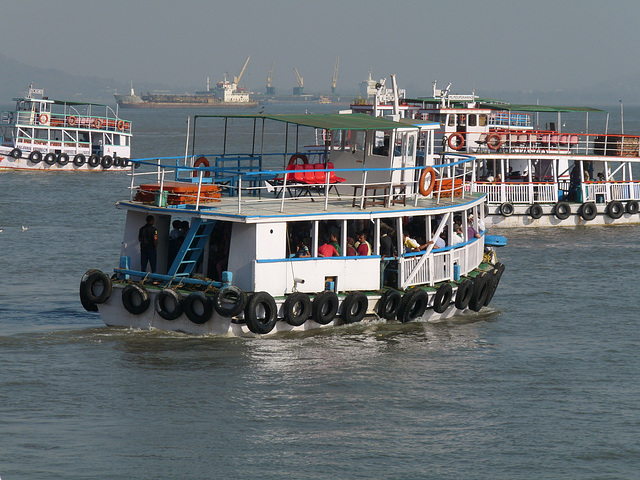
(534, 173)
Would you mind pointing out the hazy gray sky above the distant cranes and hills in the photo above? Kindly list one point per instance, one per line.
(489, 45)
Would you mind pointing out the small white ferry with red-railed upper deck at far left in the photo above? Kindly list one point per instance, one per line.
(55, 135)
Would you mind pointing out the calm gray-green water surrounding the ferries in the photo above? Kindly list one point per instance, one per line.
(544, 384)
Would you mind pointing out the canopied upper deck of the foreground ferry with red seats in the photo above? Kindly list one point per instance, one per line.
(364, 167)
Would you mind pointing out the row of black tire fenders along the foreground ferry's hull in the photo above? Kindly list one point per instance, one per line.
(261, 312)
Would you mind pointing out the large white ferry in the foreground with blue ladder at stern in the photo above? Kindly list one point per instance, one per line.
(268, 230)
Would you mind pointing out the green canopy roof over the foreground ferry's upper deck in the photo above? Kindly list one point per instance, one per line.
(327, 121)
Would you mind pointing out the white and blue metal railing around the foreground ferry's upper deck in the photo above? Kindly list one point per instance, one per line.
(251, 186)
